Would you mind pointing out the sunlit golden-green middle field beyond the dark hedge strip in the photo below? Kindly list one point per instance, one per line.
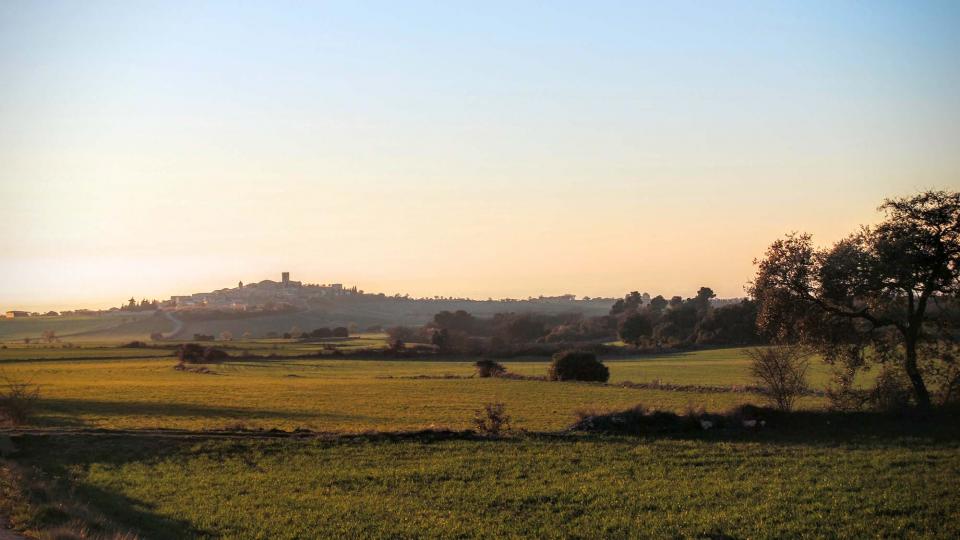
(353, 395)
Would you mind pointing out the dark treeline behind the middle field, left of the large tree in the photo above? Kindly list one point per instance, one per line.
(639, 320)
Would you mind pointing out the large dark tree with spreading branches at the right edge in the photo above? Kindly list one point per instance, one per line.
(886, 293)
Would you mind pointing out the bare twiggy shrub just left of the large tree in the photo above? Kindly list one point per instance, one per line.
(782, 371)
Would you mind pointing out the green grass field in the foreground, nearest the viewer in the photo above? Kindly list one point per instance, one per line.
(534, 486)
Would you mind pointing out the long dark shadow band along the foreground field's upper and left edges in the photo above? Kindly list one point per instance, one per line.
(69, 456)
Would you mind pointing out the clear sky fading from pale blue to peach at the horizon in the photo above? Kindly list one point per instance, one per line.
(479, 149)
